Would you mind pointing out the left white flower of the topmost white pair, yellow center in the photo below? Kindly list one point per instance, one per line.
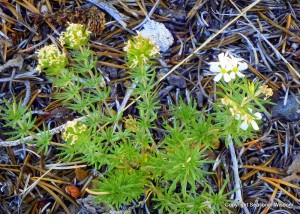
(221, 68)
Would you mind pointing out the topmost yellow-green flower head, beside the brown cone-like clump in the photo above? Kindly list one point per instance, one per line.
(75, 36)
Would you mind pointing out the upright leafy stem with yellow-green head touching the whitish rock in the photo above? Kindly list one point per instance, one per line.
(141, 52)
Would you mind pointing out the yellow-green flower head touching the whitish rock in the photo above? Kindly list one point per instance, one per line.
(140, 51)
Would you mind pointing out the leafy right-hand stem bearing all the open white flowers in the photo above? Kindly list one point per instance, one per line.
(240, 107)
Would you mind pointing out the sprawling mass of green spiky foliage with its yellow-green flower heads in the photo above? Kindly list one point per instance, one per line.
(135, 166)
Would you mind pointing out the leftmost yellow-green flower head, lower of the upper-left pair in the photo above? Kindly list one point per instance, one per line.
(50, 58)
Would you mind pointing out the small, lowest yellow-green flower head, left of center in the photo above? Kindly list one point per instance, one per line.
(73, 132)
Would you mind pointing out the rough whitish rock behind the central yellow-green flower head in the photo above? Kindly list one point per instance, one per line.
(159, 34)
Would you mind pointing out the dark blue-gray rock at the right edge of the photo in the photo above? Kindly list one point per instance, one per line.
(290, 111)
